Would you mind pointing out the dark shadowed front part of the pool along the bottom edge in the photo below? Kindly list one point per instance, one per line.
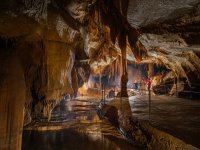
(72, 140)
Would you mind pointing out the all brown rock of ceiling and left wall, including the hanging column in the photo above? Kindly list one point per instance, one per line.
(55, 45)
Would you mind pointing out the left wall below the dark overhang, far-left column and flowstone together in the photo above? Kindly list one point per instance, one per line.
(34, 77)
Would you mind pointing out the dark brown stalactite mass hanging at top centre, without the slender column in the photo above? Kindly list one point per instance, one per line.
(110, 16)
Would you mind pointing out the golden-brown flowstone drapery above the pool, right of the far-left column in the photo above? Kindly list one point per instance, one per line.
(48, 80)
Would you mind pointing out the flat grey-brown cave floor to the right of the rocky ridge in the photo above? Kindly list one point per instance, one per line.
(179, 117)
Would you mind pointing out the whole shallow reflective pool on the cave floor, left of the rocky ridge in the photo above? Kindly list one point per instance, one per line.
(75, 125)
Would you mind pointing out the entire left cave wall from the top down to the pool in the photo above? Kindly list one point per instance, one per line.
(36, 58)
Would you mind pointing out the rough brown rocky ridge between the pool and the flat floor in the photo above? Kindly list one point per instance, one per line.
(140, 132)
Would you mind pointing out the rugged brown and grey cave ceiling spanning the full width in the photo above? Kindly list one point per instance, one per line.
(165, 32)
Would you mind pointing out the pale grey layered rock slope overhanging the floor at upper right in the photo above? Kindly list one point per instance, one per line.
(170, 34)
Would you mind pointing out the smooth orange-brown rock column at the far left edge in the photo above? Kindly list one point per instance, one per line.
(12, 98)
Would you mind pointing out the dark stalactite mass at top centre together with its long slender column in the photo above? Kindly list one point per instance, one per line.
(120, 30)
